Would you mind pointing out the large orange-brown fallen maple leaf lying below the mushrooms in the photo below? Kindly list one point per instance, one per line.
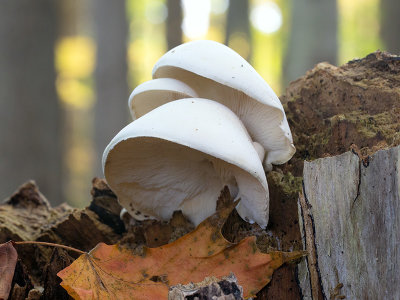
(112, 272)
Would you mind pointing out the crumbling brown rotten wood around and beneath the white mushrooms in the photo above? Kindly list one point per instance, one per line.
(330, 110)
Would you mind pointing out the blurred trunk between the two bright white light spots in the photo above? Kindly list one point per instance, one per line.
(238, 35)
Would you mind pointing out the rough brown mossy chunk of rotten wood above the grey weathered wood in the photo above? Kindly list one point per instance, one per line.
(331, 108)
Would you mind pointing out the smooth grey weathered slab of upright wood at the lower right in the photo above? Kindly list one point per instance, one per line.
(355, 208)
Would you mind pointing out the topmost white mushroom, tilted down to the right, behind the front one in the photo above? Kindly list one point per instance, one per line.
(217, 72)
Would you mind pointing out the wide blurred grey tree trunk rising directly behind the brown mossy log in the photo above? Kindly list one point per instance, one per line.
(313, 36)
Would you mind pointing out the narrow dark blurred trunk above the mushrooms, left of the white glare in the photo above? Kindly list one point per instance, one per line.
(174, 22)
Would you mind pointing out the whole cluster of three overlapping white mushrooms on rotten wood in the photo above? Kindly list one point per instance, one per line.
(206, 120)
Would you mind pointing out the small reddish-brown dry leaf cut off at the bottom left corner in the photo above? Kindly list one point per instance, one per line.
(8, 260)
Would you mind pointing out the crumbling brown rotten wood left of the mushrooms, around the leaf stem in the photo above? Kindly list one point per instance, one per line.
(27, 215)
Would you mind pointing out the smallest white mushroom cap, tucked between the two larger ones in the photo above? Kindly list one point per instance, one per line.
(154, 93)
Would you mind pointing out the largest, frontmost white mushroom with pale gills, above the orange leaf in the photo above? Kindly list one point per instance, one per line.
(180, 156)
